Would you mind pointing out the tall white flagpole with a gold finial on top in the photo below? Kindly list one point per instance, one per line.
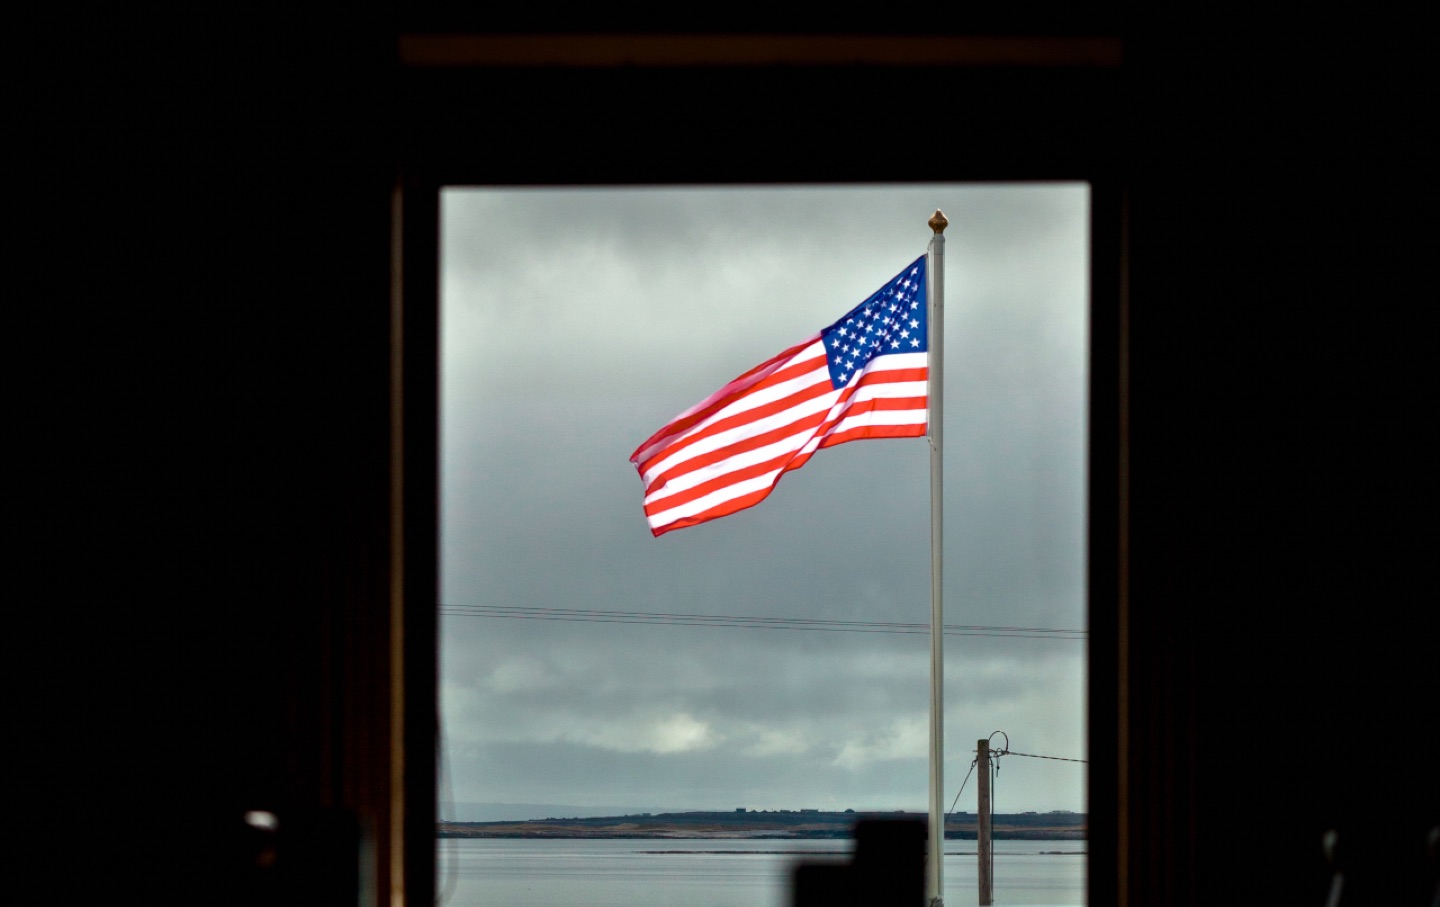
(934, 876)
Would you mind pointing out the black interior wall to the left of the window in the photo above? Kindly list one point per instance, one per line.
(205, 256)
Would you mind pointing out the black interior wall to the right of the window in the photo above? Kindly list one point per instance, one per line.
(1279, 457)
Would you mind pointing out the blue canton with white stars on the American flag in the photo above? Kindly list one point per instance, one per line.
(892, 320)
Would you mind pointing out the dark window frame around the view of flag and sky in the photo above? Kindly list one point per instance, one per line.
(577, 114)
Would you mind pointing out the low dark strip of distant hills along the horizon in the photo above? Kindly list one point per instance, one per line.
(764, 824)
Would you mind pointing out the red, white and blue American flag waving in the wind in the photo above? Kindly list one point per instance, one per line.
(865, 376)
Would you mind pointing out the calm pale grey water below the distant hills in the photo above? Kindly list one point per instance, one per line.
(735, 873)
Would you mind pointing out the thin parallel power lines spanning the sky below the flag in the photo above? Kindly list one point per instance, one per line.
(754, 623)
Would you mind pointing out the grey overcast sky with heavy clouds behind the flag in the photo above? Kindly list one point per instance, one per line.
(575, 323)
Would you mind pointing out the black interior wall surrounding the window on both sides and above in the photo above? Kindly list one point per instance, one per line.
(208, 230)
